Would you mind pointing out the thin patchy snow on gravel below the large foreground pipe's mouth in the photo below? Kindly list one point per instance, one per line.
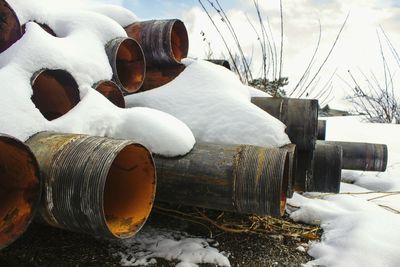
(153, 243)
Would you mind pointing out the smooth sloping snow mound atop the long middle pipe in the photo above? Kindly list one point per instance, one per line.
(215, 105)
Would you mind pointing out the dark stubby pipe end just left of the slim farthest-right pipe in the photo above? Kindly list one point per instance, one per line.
(327, 168)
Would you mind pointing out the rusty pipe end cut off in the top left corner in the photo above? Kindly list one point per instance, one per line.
(10, 28)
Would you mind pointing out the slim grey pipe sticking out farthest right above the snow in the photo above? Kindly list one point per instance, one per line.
(362, 156)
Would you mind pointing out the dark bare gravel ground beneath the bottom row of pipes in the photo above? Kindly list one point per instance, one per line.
(45, 246)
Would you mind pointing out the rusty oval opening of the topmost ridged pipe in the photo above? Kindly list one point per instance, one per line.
(179, 41)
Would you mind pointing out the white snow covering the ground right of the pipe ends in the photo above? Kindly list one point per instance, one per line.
(361, 224)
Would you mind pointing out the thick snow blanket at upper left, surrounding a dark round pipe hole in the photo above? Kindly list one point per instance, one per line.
(78, 49)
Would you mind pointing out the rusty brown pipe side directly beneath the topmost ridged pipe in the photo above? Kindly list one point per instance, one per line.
(159, 76)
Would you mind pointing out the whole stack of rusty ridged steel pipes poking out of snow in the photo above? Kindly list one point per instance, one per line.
(106, 187)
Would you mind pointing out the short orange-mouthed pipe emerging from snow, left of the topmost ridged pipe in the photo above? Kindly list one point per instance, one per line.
(128, 63)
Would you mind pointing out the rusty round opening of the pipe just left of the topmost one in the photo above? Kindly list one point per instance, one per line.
(130, 65)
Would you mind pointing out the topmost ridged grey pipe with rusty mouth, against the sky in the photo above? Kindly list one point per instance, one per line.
(164, 42)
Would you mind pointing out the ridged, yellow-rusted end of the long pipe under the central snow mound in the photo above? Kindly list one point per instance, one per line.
(261, 180)
